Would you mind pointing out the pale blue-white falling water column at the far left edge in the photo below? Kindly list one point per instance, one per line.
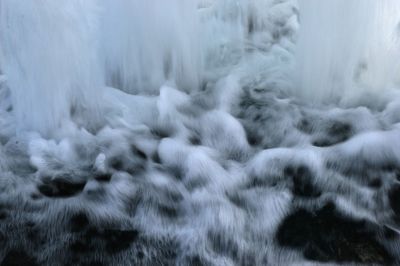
(50, 59)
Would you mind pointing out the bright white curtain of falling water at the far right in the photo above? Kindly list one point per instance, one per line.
(346, 48)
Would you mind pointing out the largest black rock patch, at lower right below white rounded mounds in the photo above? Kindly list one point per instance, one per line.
(326, 235)
